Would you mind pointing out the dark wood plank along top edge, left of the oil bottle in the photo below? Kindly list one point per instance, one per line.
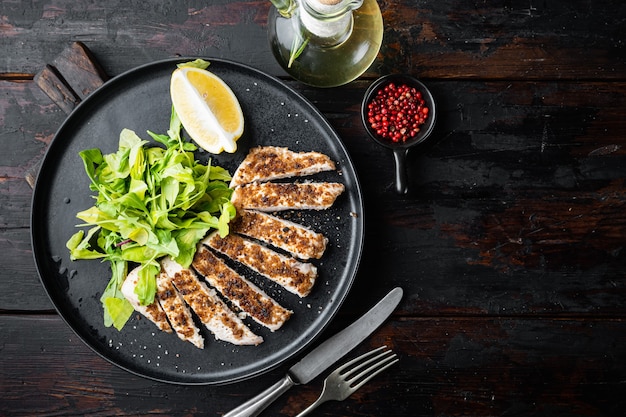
(123, 35)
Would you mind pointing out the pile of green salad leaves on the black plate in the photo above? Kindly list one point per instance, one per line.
(151, 201)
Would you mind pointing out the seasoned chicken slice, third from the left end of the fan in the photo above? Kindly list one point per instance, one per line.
(210, 309)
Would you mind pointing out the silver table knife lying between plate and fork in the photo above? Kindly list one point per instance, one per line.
(320, 358)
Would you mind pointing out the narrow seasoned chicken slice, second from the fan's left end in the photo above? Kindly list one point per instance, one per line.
(177, 311)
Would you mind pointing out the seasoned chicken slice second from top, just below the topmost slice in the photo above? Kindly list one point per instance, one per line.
(269, 196)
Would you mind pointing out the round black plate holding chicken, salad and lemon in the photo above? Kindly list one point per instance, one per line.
(139, 100)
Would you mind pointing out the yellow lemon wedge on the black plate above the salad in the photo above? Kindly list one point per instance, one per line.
(207, 108)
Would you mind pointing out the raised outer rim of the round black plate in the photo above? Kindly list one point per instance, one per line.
(357, 194)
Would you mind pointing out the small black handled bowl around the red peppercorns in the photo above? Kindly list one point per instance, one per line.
(400, 149)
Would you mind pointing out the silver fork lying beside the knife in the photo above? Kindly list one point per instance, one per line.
(346, 379)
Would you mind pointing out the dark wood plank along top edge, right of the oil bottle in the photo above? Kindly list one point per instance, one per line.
(513, 39)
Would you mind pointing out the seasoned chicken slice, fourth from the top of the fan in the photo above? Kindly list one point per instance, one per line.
(295, 276)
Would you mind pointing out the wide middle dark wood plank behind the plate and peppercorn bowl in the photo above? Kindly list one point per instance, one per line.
(539, 228)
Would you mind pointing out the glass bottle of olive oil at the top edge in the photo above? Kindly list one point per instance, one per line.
(325, 43)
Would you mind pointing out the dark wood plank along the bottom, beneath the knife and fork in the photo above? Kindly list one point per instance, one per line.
(450, 367)
